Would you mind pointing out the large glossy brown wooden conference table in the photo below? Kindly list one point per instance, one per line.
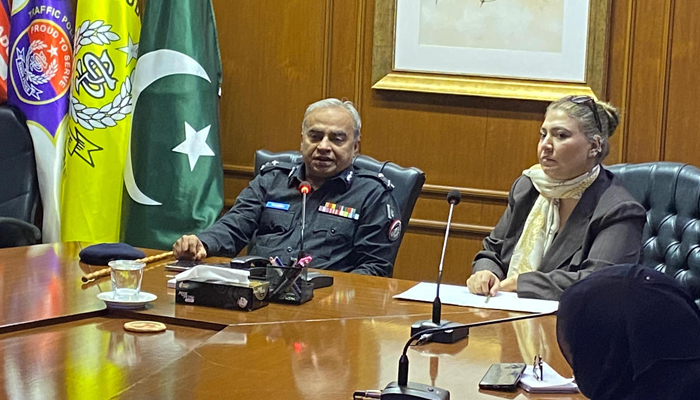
(57, 340)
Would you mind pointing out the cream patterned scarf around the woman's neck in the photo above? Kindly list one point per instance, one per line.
(542, 223)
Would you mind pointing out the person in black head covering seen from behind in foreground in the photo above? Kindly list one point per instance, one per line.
(631, 333)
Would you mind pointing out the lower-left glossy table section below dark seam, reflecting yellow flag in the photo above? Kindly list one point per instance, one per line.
(89, 359)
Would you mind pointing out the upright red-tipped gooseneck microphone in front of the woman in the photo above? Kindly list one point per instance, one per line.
(447, 335)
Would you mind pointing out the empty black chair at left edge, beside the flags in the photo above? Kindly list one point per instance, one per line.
(19, 188)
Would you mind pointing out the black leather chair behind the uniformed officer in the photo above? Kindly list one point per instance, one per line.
(408, 182)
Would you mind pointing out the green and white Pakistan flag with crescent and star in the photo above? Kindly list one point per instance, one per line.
(173, 172)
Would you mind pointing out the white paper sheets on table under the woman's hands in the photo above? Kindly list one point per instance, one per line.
(460, 296)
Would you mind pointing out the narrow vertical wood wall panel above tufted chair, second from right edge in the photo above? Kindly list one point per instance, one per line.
(645, 115)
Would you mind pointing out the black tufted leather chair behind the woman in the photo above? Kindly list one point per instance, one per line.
(670, 192)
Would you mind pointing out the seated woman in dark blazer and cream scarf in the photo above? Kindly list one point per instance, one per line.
(567, 216)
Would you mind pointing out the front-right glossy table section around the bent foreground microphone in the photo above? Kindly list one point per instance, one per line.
(331, 359)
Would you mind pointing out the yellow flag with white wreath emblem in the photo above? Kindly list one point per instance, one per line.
(106, 44)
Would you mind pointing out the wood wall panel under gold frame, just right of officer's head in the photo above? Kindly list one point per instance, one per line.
(441, 135)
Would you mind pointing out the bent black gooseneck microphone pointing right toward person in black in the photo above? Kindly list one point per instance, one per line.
(403, 390)
